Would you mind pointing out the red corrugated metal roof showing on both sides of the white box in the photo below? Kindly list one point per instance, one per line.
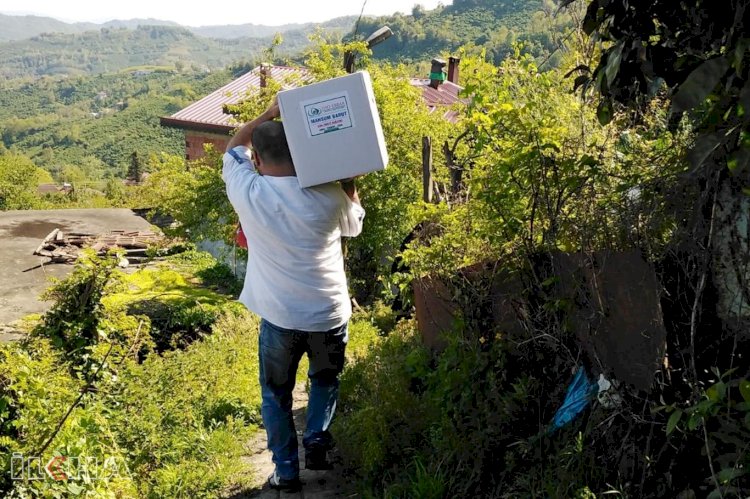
(208, 113)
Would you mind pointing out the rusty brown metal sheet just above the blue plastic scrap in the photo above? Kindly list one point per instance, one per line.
(615, 312)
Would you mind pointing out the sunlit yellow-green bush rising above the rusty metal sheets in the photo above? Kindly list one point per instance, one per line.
(536, 164)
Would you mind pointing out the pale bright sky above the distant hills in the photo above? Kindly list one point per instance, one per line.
(195, 13)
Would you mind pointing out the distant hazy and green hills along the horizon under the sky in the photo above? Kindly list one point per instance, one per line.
(495, 26)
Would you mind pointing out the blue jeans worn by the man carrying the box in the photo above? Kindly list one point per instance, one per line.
(280, 351)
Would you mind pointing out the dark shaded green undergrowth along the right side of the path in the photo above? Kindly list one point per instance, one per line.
(474, 421)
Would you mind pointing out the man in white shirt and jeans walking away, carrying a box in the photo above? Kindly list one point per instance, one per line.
(295, 282)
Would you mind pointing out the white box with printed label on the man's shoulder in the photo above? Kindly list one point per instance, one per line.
(333, 129)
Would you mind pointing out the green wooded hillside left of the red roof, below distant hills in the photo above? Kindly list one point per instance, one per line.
(88, 127)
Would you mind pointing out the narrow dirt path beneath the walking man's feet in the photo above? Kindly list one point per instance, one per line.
(317, 484)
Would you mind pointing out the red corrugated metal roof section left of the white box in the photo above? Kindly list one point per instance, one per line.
(208, 112)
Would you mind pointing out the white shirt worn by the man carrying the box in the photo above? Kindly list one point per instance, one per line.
(295, 270)
